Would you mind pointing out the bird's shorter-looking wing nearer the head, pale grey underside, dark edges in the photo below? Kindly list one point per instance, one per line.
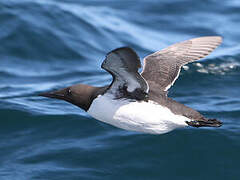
(123, 64)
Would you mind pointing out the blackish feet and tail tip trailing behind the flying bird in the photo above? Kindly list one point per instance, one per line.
(205, 123)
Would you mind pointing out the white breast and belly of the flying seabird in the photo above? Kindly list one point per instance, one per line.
(142, 116)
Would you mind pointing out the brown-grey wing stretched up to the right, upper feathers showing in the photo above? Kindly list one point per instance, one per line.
(162, 68)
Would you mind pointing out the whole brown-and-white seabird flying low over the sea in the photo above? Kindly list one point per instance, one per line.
(138, 101)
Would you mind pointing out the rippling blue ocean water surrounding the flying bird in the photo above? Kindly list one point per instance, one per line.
(50, 44)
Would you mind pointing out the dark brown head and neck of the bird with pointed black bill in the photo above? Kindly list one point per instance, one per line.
(80, 95)
